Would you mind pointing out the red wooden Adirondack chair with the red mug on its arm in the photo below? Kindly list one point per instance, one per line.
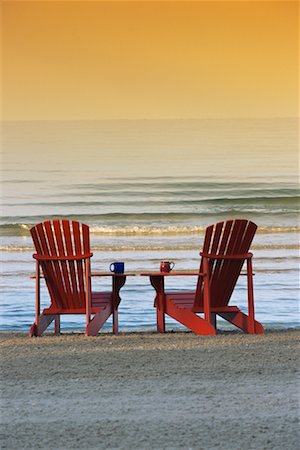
(225, 249)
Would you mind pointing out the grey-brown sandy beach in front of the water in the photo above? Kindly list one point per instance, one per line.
(150, 391)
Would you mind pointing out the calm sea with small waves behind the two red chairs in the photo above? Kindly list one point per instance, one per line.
(147, 191)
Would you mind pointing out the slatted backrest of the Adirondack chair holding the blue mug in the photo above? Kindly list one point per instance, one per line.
(65, 279)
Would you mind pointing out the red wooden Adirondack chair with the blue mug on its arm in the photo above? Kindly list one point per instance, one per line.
(63, 253)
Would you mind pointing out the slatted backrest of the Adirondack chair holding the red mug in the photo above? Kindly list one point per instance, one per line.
(232, 237)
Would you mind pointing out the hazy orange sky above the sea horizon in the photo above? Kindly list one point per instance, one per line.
(135, 60)
